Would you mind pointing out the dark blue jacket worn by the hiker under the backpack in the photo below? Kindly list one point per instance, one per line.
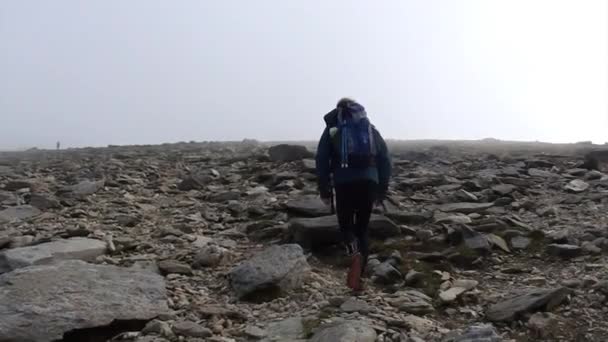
(327, 163)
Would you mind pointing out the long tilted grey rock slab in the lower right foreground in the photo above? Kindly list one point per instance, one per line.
(532, 301)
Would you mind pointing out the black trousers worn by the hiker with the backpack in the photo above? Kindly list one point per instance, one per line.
(354, 204)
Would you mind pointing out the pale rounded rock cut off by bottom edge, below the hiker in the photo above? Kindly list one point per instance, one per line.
(345, 331)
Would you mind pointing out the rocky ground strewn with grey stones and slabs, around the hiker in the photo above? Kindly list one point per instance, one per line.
(229, 242)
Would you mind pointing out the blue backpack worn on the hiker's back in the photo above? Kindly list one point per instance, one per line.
(353, 140)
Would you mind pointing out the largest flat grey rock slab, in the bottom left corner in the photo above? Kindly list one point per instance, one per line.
(41, 303)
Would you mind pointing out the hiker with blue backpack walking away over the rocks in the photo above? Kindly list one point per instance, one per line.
(353, 159)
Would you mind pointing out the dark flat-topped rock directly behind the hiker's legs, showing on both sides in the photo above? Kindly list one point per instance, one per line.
(323, 231)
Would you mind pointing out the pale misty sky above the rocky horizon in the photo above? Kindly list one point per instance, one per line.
(102, 72)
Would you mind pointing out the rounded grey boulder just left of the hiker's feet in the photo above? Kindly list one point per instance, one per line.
(278, 268)
